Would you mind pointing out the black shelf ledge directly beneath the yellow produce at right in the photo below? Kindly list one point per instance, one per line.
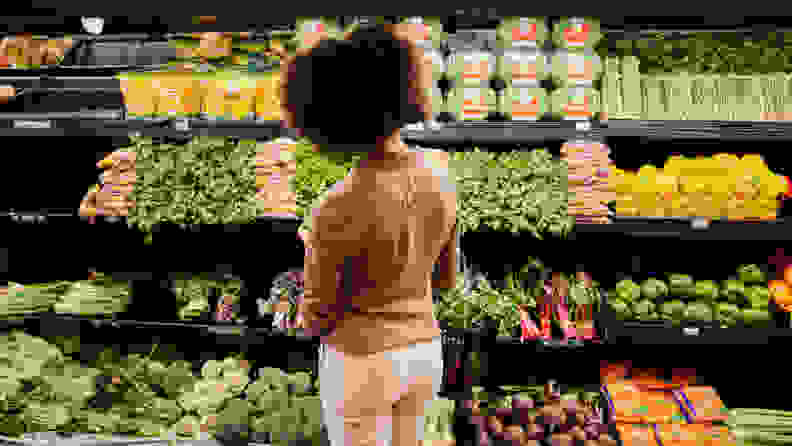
(694, 229)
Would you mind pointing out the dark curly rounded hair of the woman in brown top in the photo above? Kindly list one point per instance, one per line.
(346, 95)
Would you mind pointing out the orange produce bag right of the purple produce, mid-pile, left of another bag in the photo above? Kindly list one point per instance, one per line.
(631, 403)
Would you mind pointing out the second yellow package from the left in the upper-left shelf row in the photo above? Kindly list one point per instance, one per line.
(179, 94)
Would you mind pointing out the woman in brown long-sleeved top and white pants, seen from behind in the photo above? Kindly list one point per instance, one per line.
(375, 236)
